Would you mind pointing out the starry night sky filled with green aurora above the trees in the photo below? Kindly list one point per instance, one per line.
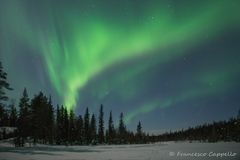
(171, 64)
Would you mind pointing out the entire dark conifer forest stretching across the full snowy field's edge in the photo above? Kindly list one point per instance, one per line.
(36, 120)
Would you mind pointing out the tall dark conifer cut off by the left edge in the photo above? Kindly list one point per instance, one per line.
(4, 85)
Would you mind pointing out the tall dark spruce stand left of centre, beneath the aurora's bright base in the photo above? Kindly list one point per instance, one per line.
(38, 122)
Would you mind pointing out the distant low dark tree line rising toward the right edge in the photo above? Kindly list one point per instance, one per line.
(213, 132)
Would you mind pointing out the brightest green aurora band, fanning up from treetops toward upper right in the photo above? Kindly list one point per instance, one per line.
(95, 45)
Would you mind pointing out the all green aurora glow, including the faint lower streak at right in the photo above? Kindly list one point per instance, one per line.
(78, 47)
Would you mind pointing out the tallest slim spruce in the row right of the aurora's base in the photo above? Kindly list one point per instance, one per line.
(101, 126)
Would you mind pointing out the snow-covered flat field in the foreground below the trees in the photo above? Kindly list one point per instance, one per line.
(158, 151)
